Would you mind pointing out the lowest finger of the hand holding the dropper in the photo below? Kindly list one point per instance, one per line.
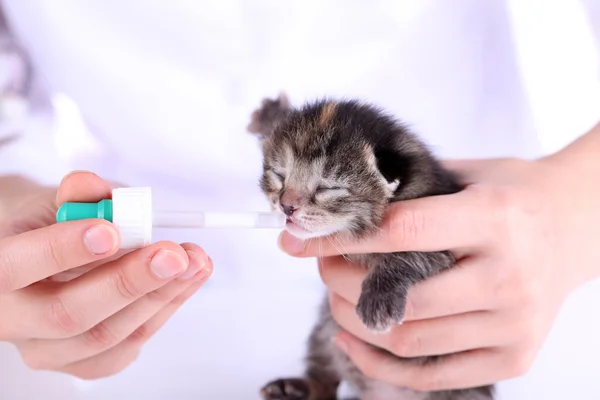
(119, 357)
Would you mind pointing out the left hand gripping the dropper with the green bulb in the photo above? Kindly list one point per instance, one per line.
(70, 300)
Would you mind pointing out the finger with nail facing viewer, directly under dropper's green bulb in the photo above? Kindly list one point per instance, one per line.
(35, 255)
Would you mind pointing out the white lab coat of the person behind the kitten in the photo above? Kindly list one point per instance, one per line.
(159, 93)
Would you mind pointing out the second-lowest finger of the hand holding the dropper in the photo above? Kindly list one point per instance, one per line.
(53, 354)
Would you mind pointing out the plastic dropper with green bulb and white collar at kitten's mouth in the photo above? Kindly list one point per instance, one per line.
(130, 209)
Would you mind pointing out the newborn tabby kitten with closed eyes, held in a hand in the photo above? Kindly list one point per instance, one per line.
(332, 168)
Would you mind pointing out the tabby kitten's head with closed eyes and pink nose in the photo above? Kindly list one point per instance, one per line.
(323, 169)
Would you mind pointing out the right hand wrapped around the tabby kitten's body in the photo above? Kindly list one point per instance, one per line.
(523, 233)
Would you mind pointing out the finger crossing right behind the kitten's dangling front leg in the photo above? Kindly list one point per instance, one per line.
(462, 289)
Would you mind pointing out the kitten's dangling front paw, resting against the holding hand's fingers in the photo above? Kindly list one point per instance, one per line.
(379, 311)
